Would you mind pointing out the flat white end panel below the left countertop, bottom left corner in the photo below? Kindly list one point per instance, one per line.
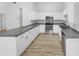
(7, 46)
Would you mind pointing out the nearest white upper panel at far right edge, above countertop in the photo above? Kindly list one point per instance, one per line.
(76, 16)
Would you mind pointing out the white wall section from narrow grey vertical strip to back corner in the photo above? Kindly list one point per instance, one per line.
(28, 12)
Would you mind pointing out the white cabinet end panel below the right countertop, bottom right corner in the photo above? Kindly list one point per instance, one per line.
(72, 47)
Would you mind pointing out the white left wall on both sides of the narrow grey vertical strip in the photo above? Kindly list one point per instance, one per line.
(12, 17)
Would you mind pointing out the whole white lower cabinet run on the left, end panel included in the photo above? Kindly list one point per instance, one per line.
(12, 46)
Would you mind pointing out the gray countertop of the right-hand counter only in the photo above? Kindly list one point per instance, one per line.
(69, 32)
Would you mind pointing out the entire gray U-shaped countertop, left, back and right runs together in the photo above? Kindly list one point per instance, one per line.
(68, 31)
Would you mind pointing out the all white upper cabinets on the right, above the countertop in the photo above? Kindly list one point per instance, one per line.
(72, 14)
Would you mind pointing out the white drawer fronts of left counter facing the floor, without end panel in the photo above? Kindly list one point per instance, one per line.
(24, 40)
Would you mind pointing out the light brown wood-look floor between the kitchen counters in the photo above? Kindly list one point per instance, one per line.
(45, 45)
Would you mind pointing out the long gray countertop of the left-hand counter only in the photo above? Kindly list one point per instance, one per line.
(17, 31)
